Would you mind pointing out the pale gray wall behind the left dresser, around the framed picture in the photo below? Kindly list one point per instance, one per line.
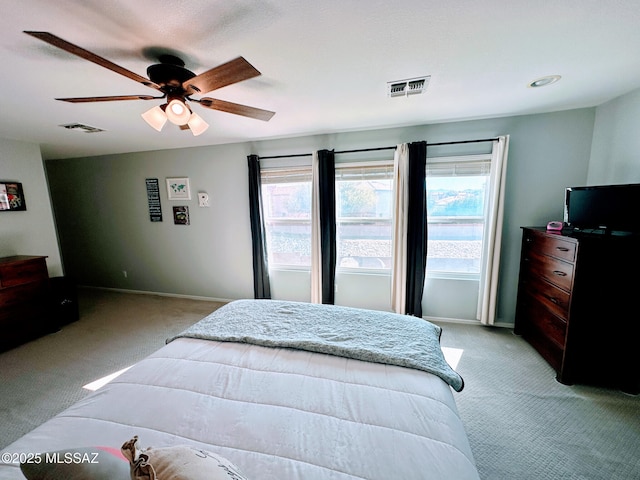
(30, 232)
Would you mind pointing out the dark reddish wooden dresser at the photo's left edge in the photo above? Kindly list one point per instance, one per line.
(24, 299)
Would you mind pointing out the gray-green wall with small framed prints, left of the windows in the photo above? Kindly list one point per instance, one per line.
(103, 219)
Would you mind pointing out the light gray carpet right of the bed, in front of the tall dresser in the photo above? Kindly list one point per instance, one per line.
(523, 424)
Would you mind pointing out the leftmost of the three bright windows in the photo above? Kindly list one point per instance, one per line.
(286, 200)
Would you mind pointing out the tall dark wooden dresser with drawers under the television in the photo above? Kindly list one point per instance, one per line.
(578, 302)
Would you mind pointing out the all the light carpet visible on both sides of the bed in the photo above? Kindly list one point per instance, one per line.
(521, 423)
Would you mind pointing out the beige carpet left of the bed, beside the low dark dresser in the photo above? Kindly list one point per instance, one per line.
(43, 377)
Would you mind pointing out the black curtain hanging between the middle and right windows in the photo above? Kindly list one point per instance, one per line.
(416, 228)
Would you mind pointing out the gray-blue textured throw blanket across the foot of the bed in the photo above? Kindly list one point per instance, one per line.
(367, 335)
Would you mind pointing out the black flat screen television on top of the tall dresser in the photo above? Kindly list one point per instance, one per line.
(603, 208)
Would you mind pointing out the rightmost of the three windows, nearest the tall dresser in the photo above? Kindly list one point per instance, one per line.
(456, 193)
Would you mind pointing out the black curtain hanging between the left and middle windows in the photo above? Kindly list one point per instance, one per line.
(327, 187)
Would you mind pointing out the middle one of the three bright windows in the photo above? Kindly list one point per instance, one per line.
(364, 205)
